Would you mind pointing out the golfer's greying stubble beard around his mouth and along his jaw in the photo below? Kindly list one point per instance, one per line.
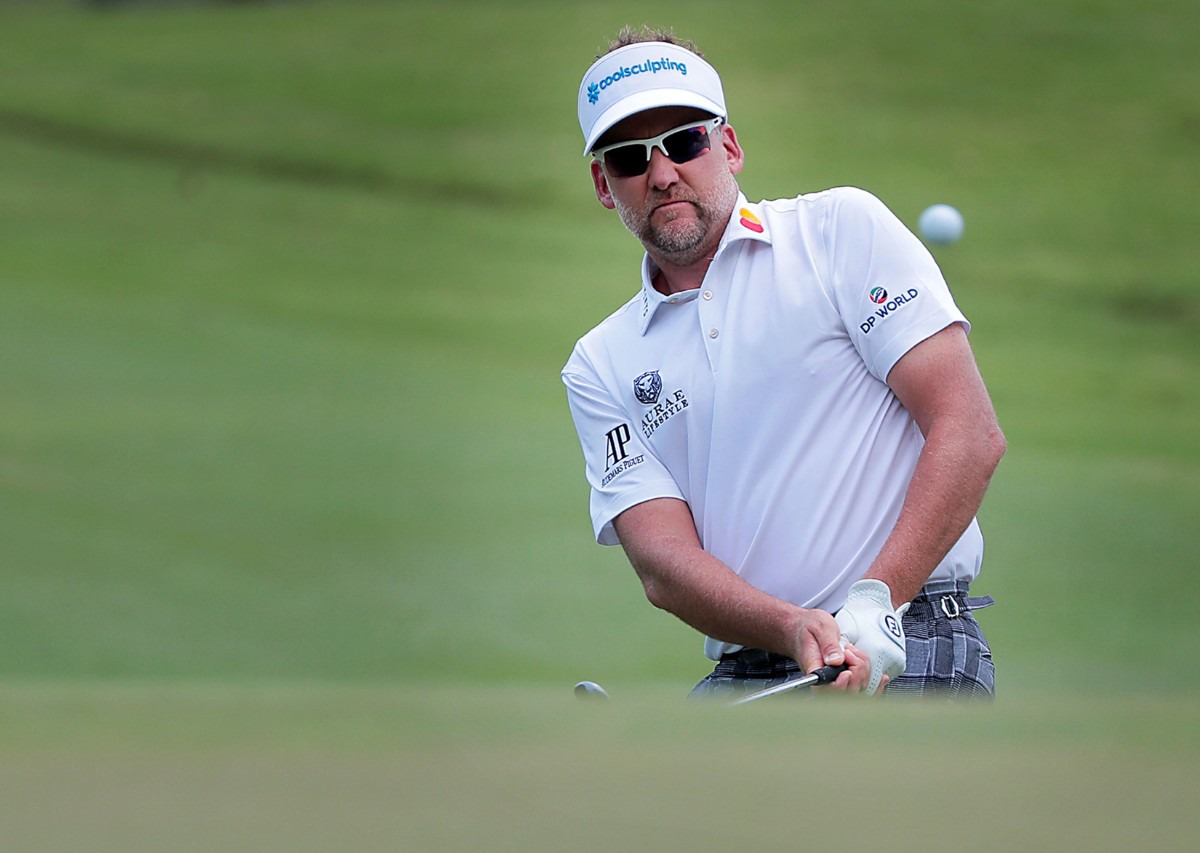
(683, 241)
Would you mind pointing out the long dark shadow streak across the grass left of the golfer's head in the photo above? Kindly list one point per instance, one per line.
(194, 158)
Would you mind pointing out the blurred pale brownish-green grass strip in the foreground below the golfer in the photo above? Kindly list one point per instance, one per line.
(308, 767)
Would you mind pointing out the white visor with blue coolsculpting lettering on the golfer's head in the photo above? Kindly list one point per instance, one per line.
(645, 76)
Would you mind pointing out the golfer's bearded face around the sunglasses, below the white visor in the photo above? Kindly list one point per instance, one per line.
(677, 211)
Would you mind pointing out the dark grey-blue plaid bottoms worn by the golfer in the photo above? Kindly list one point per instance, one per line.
(947, 654)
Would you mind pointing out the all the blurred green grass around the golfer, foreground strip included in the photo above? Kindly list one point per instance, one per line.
(296, 540)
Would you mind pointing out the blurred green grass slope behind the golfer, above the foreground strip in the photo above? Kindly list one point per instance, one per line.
(285, 290)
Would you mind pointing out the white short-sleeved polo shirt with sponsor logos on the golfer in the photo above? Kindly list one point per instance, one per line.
(761, 401)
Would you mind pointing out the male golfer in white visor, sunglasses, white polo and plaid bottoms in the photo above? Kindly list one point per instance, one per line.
(787, 423)
